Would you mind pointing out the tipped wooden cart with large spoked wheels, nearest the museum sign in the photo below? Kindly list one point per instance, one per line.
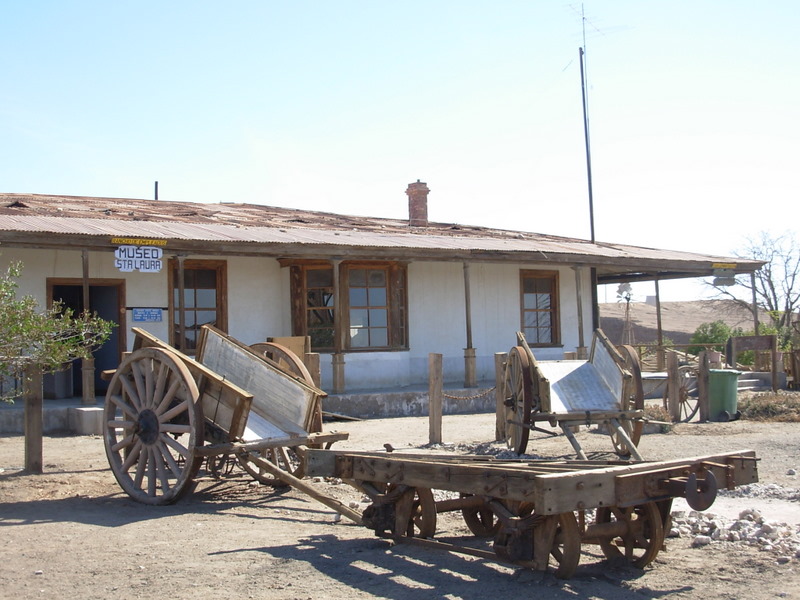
(165, 413)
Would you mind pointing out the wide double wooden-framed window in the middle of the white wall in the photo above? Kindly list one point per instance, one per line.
(373, 312)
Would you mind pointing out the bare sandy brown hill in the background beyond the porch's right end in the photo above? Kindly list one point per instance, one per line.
(679, 320)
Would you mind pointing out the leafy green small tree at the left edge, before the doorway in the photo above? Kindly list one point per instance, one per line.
(46, 339)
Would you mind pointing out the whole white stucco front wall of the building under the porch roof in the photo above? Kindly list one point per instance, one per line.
(259, 307)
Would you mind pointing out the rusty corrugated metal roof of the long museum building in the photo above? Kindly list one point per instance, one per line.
(271, 226)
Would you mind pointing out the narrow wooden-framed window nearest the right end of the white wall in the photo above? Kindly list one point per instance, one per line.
(539, 306)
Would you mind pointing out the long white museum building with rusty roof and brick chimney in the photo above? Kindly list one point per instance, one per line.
(376, 296)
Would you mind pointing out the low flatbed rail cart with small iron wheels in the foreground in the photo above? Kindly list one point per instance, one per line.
(537, 513)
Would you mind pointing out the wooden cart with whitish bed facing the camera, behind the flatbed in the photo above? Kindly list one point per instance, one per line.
(604, 390)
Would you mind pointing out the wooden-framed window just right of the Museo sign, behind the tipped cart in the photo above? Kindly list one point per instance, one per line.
(205, 301)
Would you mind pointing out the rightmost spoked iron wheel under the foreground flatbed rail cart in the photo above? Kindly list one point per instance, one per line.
(644, 537)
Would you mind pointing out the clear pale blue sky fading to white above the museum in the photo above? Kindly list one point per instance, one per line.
(339, 105)
